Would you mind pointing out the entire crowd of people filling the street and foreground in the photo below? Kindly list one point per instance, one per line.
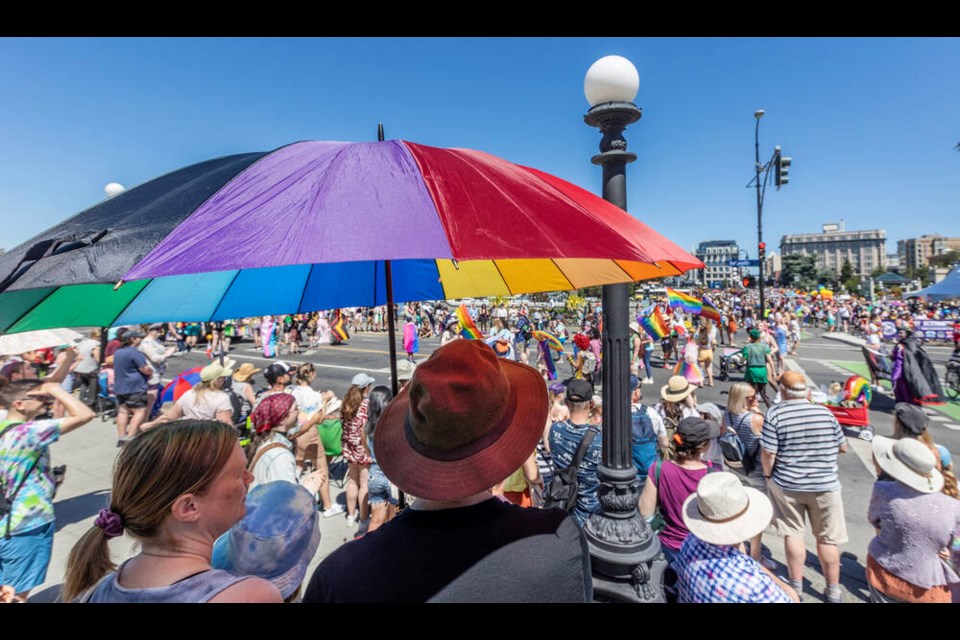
(474, 440)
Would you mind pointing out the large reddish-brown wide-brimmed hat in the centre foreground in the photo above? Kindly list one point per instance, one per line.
(466, 421)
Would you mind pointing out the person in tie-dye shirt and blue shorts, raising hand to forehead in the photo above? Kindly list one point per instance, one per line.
(26, 482)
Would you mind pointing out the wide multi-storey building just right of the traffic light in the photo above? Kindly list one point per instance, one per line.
(866, 250)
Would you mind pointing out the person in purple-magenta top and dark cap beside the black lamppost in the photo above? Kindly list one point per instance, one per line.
(670, 482)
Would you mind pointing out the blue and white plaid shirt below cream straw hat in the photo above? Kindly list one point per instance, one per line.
(716, 574)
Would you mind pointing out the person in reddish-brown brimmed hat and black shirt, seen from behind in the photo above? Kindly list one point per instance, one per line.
(466, 421)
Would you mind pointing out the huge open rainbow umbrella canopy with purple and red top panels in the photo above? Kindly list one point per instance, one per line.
(316, 225)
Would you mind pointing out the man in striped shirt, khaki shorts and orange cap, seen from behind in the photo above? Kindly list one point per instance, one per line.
(799, 448)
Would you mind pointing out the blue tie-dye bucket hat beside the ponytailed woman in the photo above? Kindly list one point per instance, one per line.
(277, 538)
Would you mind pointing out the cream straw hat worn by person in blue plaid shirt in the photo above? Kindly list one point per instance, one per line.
(724, 512)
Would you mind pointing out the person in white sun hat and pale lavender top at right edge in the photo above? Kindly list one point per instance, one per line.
(914, 523)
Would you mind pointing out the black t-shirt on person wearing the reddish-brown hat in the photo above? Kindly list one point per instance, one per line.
(488, 552)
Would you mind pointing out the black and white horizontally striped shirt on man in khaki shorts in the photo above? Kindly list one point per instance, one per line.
(806, 438)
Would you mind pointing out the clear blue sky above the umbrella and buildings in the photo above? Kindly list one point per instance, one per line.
(871, 123)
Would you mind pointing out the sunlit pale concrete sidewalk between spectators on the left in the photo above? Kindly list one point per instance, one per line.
(89, 454)
